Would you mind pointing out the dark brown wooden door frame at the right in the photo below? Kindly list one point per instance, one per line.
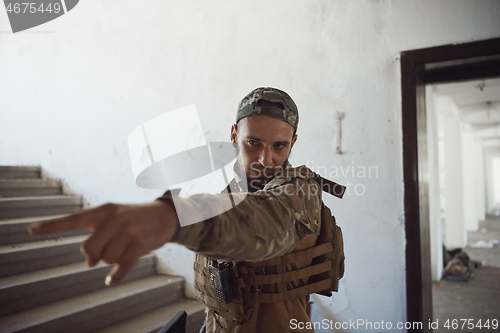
(447, 63)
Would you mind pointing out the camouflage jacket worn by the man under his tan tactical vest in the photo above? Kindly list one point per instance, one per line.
(267, 223)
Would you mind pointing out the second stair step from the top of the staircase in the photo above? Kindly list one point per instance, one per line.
(29, 187)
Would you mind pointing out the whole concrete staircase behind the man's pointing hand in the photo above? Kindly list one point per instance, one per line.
(45, 285)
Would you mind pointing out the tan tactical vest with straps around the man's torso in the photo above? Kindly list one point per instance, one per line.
(271, 281)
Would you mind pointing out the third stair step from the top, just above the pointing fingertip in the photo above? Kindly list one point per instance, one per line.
(39, 206)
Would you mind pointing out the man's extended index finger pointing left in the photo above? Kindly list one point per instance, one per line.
(86, 219)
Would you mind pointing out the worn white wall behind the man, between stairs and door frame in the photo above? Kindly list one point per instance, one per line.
(73, 89)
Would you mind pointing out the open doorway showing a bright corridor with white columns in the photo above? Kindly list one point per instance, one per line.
(463, 131)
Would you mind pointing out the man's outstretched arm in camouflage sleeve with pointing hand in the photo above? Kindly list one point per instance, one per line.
(266, 224)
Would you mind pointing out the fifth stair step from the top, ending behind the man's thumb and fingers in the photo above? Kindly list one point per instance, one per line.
(26, 257)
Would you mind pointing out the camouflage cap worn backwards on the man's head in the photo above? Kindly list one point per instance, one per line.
(269, 102)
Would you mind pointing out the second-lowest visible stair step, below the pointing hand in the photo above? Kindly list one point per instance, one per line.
(92, 311)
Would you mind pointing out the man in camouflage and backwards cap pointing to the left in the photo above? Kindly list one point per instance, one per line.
(253, 262)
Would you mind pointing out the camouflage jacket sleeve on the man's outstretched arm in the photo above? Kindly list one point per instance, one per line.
(265, 224)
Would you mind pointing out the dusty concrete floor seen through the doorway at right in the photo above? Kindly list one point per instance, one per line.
(479, 298)
